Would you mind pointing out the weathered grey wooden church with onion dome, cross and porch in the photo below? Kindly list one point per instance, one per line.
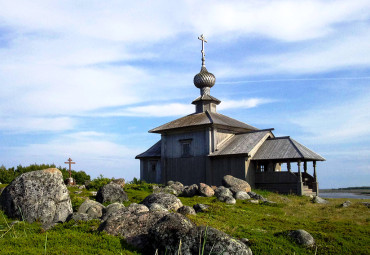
(206, 145)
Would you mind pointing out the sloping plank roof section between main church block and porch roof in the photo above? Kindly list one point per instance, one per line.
(241, 143)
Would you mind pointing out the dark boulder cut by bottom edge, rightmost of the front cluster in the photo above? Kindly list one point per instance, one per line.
(219, 242)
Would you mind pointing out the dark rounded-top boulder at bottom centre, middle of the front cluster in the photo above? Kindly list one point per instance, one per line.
(169, 230)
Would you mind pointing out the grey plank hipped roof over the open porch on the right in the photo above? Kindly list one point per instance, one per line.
(285, 148)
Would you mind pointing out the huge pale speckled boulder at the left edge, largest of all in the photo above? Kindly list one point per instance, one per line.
(37, 196)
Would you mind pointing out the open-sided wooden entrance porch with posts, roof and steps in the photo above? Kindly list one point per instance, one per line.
(269, 174)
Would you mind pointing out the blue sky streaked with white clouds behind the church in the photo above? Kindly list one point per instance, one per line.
(88, 79)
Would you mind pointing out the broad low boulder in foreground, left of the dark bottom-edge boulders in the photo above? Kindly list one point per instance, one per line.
(133, 223)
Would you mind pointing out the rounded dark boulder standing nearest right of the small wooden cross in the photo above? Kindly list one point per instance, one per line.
(111, 193)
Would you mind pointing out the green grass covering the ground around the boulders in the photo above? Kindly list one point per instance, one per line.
(336, 230)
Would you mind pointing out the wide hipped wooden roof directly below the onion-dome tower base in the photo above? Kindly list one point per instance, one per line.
(201, 119)
